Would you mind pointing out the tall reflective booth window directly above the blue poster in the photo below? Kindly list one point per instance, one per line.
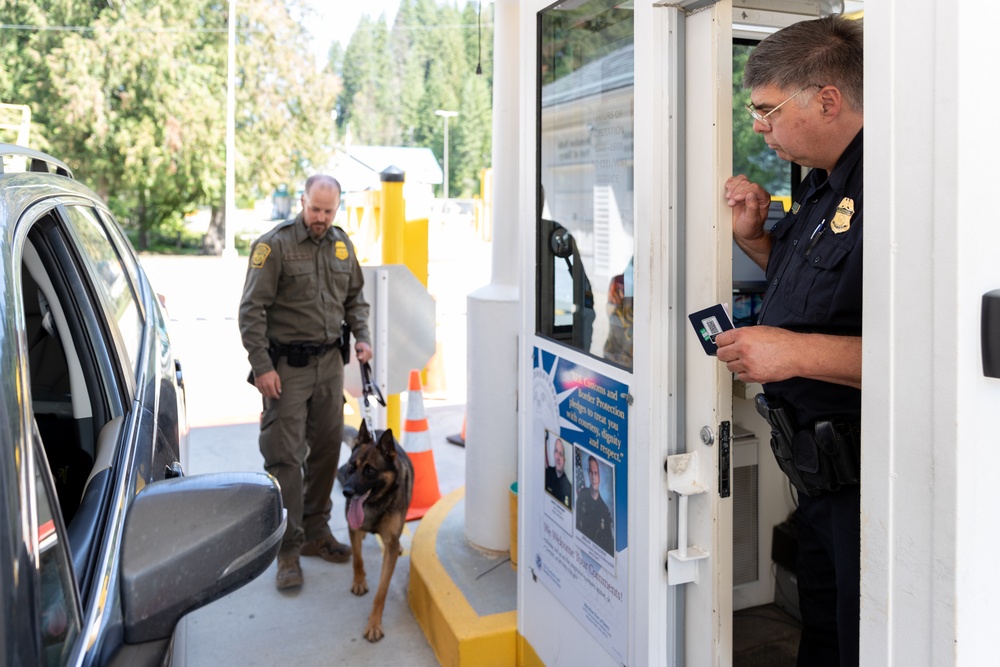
(585, 169)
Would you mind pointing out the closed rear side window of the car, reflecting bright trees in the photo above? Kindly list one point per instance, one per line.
(111, 280)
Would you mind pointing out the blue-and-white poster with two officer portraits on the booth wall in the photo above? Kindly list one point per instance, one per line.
(579, 449)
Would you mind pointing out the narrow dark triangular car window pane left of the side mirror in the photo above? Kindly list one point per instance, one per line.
(59, 615)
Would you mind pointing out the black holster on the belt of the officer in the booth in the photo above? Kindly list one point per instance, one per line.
(816, 460)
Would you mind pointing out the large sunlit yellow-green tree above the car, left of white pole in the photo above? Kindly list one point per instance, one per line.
(124, 106)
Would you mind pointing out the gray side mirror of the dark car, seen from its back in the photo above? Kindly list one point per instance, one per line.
(191, 540)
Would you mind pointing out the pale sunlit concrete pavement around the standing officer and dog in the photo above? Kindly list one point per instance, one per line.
(322, 623)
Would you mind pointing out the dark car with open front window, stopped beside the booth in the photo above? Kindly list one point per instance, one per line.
(105, 543)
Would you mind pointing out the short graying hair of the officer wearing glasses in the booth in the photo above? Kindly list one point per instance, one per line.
(827, 51)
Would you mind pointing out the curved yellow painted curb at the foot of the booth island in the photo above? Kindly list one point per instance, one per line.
(459, 636)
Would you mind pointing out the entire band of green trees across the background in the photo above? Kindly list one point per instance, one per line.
(133, 96)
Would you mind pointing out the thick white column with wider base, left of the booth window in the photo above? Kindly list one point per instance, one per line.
(494, 315)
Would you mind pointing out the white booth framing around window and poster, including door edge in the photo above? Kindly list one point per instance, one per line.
(677, 389)
